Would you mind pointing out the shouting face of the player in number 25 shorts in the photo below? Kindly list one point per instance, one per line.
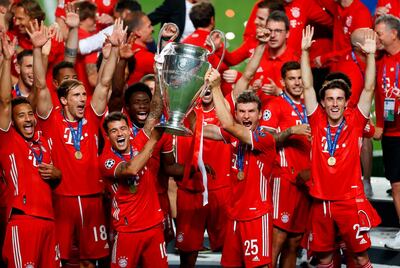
(248, 114)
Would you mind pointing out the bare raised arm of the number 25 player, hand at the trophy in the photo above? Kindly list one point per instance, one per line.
(227, 121)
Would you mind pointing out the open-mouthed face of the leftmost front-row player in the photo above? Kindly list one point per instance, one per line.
(24, 120)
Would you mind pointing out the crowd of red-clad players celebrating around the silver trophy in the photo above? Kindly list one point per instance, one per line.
(276, 162)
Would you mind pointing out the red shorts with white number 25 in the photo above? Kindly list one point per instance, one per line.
(248, 243)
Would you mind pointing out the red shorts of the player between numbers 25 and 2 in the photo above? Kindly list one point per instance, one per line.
(291, 206)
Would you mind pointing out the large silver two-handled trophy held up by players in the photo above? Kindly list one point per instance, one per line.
(181, 71)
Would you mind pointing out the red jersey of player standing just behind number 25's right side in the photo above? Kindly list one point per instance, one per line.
(294, 156)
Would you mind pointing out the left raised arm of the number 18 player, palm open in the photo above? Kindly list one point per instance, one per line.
(39, 36)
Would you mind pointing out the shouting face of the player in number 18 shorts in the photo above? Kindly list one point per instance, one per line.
(74, 103)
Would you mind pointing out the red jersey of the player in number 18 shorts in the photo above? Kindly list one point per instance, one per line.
(79, 177)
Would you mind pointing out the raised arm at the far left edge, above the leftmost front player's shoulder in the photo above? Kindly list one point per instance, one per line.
(7, 50)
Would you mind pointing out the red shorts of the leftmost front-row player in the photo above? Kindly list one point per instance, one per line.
(30, 241)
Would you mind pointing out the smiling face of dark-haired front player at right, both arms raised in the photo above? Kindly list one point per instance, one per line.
(334, 103)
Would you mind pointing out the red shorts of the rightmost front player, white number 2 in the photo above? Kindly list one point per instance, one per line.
(330, 219)
